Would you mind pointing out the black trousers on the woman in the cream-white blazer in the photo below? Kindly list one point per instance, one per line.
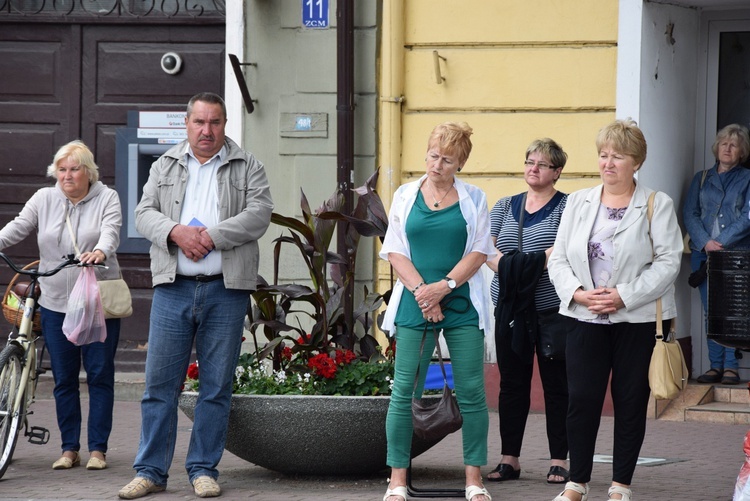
(594, 351)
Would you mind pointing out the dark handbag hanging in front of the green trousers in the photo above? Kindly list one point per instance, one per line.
(435, 420)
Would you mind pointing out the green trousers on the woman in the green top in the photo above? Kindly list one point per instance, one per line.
(466, 346)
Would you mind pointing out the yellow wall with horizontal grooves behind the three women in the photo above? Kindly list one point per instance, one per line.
(515, 70)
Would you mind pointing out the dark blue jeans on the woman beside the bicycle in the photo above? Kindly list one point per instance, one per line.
(99, 364)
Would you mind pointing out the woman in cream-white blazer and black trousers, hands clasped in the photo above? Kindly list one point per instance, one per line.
(609, 268)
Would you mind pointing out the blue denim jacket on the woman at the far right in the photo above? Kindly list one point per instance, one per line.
(725, 202)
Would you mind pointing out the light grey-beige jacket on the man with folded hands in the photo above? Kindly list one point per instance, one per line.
(245, 208)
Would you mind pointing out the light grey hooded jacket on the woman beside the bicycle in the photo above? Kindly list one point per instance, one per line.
(96, 222)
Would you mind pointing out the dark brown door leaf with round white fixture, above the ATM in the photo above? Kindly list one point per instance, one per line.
(122, 71)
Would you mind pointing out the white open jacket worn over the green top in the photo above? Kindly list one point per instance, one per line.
(473, 204)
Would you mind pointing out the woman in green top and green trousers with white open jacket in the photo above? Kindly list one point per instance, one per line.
(438, 238)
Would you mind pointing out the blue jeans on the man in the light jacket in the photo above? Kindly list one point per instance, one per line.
(213, 317)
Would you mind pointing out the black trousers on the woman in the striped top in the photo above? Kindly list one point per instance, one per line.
(514, 400)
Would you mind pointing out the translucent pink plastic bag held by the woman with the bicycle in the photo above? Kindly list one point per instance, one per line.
(84, 319)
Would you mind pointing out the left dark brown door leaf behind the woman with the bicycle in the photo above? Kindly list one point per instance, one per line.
(39, 77)
